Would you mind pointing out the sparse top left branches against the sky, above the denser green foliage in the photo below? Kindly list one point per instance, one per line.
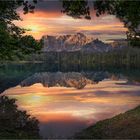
(8, 13)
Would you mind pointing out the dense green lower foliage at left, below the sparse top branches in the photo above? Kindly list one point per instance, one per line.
(16, 48)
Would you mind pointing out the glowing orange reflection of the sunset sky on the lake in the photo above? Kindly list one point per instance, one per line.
(63, 104)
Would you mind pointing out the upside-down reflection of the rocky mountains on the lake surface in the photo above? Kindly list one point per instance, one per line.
(70, 79)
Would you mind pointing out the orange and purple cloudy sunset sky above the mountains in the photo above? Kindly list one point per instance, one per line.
(49, 20)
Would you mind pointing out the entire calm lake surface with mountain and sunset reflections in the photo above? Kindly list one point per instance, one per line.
(67, 102)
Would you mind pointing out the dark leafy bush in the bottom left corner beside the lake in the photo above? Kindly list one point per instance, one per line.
(14, 123)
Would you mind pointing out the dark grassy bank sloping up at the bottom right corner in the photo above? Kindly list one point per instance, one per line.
(122, 126)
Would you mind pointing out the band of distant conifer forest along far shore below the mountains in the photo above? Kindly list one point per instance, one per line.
(128, 58)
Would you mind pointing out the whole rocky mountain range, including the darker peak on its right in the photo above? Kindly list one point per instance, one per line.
(76, 42)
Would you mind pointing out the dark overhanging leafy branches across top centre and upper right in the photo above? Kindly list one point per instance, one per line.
(127, 11)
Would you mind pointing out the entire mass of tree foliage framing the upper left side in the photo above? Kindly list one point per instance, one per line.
(12, 42)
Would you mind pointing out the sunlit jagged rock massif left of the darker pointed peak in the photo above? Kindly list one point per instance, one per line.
(65, 42)
